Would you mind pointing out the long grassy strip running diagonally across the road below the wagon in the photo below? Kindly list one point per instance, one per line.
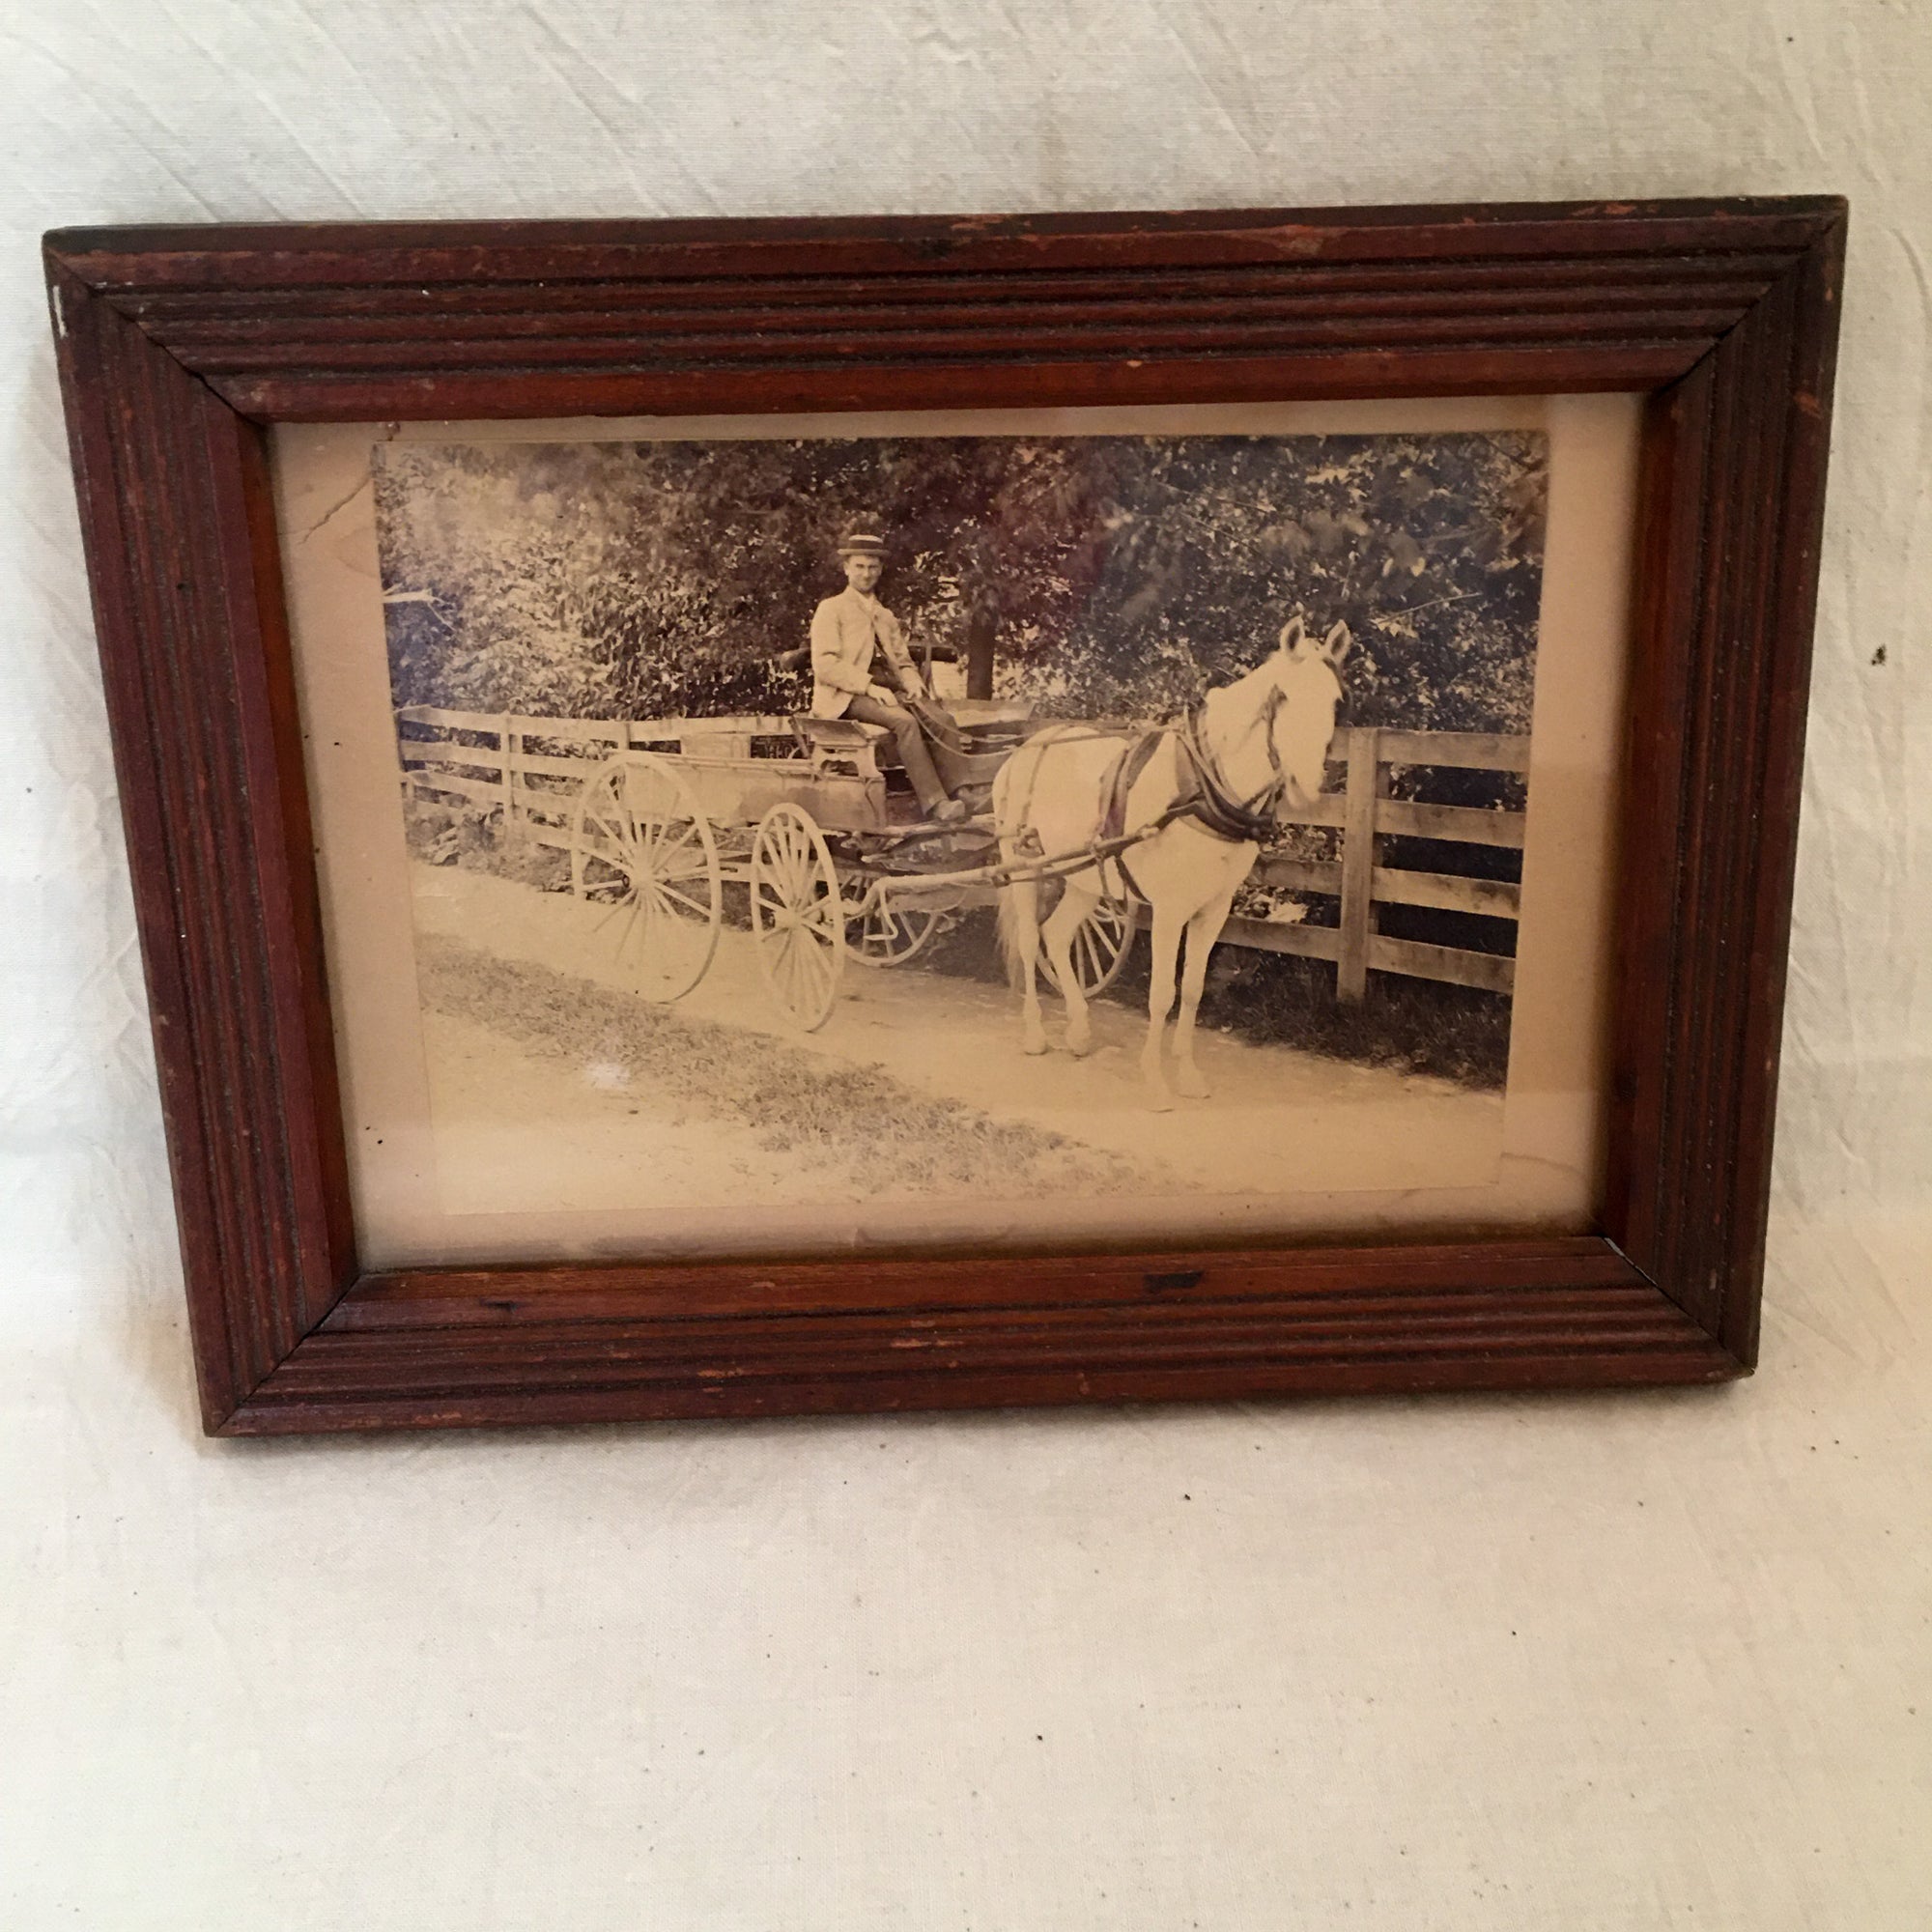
(797, 1104)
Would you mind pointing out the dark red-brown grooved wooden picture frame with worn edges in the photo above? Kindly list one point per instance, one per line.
(179, 347)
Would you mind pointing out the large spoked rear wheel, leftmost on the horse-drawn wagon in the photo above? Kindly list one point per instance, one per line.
(642, 847)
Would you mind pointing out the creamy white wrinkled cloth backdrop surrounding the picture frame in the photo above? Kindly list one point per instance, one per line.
(1564, 1662)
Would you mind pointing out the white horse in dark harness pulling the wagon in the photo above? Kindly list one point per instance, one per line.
(1208, 787)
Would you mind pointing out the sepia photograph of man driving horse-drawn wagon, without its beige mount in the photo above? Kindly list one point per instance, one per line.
(865, 820)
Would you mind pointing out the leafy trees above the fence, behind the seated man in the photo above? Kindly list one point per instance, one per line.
(1120, 575)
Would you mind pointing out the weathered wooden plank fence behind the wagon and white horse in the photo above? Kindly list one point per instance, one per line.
(490, 762)
